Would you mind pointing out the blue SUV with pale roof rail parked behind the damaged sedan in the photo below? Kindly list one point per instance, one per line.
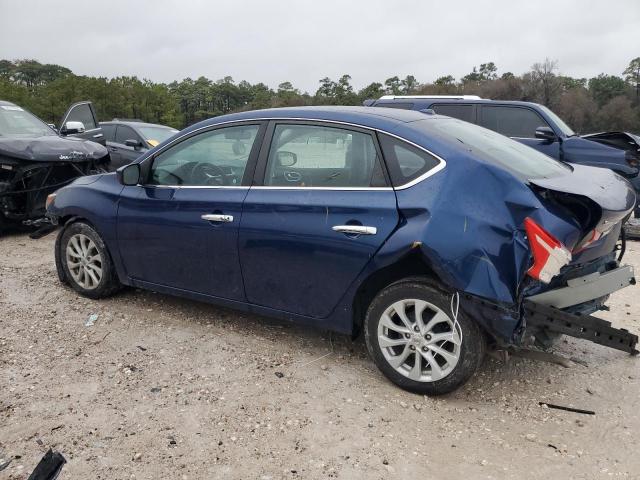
(534, 125)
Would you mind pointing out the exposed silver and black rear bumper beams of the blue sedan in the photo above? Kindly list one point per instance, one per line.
(544, 311)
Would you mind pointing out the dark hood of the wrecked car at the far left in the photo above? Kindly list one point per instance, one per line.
(51, 148)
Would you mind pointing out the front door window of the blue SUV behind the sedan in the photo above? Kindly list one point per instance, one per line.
(511, 121)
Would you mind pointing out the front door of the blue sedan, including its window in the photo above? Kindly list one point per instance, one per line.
(180, 229)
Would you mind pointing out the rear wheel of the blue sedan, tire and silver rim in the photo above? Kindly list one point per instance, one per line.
(413, 339)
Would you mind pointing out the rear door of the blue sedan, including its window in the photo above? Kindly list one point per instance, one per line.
(320, 209)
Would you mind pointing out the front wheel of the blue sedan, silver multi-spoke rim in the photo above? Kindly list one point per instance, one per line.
(86, 262)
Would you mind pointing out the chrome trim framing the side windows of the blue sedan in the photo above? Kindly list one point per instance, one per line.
(433, 171)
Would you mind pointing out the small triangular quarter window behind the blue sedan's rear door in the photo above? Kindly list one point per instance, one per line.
(405, 162)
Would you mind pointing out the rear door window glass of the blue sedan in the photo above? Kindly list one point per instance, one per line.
(318, 156)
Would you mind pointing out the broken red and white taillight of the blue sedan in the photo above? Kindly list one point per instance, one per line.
(549, 254)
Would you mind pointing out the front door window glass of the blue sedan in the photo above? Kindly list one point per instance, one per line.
(214, 158)
